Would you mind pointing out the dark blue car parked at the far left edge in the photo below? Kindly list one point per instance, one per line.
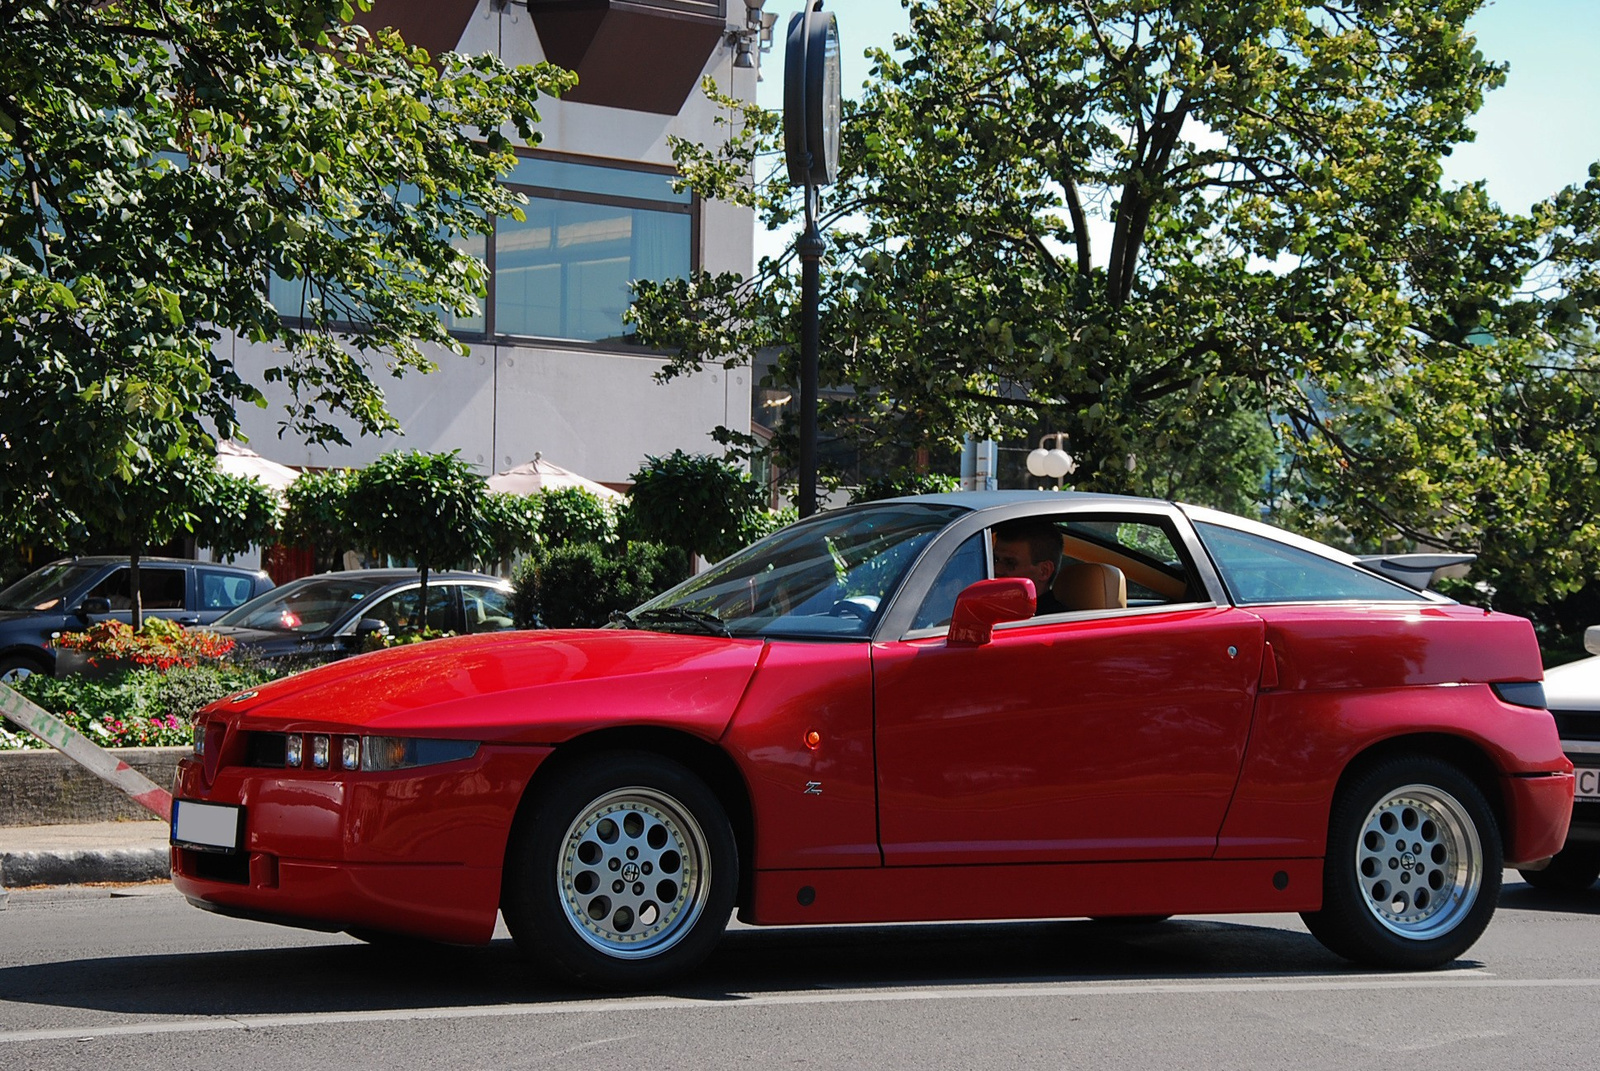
(73, 595)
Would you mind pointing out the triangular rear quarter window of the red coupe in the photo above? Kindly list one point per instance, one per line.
(1260, 571)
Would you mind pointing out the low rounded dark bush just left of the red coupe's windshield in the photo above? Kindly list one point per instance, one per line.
(582, 585)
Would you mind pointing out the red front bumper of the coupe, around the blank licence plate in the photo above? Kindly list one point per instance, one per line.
(410, 852)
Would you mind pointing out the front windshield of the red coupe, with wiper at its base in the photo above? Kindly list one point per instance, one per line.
(828, 577)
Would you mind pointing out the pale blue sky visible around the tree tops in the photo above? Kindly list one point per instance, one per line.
(1537, 135)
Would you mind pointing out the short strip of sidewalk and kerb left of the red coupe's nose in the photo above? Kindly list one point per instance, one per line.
(79, 854)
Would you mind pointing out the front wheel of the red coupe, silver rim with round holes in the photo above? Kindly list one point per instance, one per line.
(622, 873)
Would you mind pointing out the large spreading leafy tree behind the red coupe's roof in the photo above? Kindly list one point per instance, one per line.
(1207, 241)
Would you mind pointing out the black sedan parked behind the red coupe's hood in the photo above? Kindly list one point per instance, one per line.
(332, 616)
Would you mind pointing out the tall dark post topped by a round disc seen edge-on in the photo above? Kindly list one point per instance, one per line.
(812, 121)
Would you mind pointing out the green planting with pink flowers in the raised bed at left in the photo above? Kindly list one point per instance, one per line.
(134, 708)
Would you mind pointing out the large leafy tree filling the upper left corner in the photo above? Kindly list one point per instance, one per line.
(159, 162)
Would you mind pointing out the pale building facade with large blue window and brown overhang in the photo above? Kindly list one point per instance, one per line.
(551, 367)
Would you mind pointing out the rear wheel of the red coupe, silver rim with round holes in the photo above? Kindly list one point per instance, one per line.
(1414, 867)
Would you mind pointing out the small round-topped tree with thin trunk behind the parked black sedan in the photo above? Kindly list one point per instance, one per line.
(418, 507)
